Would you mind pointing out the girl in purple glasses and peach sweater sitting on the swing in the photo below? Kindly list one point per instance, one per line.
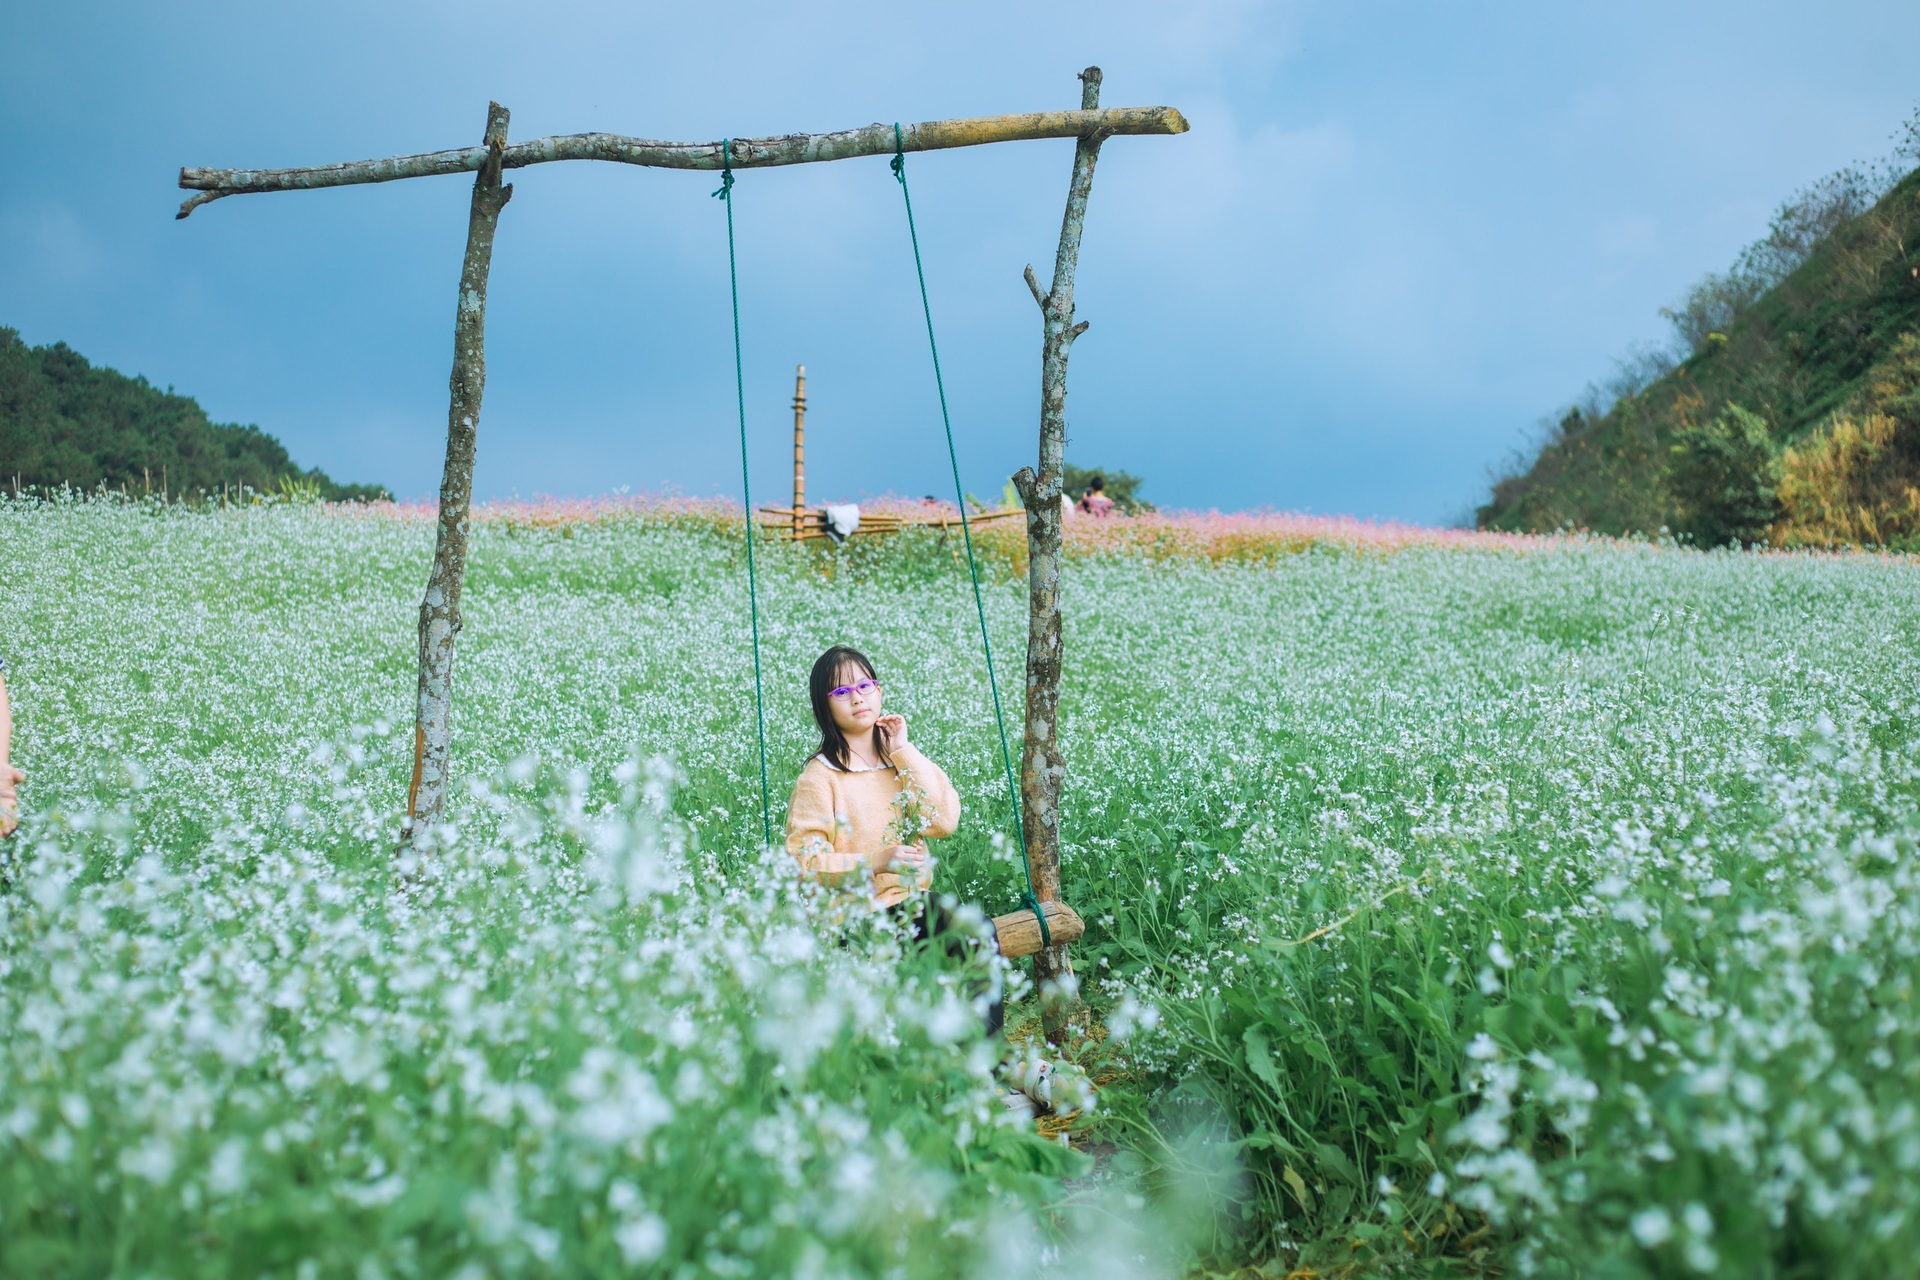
(848, 822)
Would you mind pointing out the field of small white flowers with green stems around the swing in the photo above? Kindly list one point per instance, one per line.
(1539, 907)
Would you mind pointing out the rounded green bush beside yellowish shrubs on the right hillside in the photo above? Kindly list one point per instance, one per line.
(1723, 477)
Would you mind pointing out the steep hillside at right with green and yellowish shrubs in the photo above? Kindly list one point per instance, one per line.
(1790, 410)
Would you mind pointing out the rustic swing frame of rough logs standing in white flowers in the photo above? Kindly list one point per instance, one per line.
(1044, 767)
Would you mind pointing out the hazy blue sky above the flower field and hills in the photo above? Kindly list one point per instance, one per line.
(1397, 237)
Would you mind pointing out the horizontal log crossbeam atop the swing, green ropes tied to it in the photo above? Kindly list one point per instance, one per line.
(798, 149)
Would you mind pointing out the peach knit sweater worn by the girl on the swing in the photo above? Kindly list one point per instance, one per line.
(838, 820)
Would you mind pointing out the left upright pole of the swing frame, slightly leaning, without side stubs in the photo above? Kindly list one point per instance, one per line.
(441, 609)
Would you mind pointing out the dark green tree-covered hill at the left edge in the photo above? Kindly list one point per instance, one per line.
(64, 421)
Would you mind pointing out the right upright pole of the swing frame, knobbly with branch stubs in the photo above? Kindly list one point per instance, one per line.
(1042, 763)
